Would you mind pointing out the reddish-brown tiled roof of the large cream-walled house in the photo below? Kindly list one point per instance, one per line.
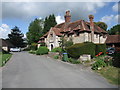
(71, 27)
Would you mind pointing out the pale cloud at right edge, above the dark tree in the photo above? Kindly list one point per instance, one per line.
(110, 20)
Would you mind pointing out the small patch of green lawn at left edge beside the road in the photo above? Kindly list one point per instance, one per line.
(4, 58)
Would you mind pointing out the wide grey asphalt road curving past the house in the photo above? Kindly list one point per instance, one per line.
(25, 70)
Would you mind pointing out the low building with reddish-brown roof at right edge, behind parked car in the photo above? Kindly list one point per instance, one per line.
(113, 41)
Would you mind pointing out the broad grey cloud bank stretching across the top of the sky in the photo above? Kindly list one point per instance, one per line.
(27, 10)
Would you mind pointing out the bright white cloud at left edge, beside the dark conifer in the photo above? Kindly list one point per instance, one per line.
(4, 31)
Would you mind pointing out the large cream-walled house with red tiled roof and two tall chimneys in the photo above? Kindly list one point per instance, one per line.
(79, 31)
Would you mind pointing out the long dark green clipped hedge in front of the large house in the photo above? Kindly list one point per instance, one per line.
(76, 50)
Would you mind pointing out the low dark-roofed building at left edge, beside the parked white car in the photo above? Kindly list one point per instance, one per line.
(5, 44)
